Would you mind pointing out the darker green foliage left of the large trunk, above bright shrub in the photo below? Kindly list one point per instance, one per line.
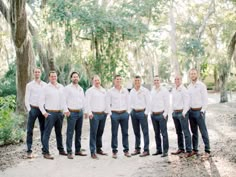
(8, 82)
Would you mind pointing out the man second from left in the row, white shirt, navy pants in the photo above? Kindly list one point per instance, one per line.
(51, 104)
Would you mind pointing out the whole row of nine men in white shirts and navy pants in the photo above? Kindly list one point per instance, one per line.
(51, 102)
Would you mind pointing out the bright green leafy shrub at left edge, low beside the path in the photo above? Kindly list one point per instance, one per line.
(10, 123)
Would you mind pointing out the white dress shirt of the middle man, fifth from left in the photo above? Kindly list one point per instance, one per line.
(118, 100)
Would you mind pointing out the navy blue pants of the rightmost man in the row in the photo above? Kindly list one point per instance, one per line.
(197, 120)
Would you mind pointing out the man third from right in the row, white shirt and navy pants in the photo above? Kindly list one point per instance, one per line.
(159, 114)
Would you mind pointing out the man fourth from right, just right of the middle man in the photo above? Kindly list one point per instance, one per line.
(139, 101)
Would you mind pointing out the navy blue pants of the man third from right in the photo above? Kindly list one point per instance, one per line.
(160, 128)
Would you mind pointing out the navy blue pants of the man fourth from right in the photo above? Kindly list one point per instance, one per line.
(139, 119)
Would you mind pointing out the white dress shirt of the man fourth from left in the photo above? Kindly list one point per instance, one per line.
(96, 100)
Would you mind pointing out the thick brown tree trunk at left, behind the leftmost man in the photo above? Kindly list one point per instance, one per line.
(25, 61)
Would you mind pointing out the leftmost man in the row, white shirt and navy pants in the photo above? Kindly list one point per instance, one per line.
(33, 90)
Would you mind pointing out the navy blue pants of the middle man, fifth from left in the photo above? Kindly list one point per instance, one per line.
(123, 121)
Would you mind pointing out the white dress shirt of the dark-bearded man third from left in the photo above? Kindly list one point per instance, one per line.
(75, 98)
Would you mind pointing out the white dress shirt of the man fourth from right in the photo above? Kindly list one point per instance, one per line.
(140, 99)
